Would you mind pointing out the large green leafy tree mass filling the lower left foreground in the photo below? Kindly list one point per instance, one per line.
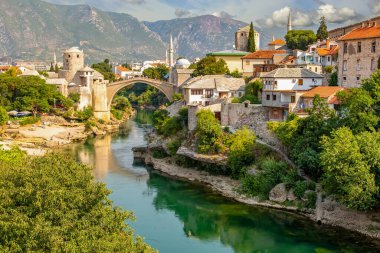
(53, 204)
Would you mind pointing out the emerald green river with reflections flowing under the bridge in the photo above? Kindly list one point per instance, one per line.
(175, 216)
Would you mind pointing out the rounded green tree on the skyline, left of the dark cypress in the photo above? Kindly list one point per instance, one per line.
(300, 39)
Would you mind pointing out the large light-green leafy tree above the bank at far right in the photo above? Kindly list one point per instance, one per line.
(346, 174)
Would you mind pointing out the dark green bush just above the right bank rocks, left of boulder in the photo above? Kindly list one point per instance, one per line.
(271, 173)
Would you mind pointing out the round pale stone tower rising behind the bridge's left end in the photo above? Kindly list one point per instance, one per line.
(73, 61)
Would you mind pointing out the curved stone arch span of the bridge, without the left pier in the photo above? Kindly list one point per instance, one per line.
(113, 88)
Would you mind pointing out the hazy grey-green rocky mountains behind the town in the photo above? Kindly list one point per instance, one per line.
(34, 30)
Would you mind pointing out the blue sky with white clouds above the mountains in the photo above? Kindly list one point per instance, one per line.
(265, 14)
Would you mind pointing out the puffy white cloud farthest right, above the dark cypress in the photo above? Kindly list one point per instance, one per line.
(334, 15)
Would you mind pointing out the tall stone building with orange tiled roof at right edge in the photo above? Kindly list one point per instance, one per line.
(359, 51)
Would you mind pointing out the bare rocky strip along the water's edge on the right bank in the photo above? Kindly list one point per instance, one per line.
(328, 211)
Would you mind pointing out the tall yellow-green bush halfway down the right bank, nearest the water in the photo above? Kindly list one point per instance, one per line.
(240, 152)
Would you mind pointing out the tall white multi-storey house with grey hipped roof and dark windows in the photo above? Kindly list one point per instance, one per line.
(283, 87)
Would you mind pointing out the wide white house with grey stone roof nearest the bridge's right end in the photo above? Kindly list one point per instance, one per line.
(204, 90)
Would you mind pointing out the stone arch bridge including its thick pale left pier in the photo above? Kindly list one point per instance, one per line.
(103, 94)
